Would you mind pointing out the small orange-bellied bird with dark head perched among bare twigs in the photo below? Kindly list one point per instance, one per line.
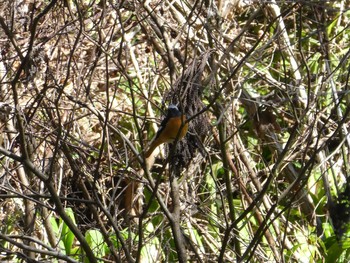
(173, 126)
